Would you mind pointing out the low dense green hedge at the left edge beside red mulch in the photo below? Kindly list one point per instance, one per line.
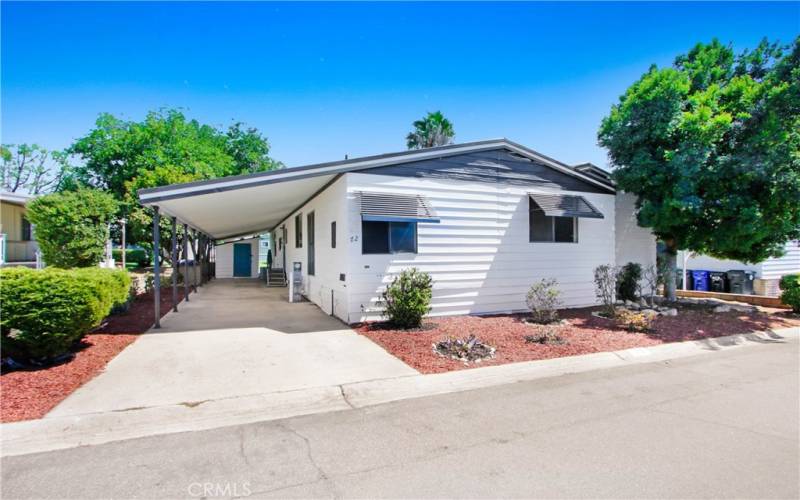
(45, 312)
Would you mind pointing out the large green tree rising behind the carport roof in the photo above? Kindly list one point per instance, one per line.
(123, 156)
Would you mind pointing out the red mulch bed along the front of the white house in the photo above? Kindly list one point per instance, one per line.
(584, 334)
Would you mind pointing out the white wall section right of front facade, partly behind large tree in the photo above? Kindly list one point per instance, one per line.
(633, 243)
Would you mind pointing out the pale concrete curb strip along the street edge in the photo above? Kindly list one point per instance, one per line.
(47, 434)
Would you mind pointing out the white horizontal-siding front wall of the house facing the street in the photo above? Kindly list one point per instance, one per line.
(478, 255)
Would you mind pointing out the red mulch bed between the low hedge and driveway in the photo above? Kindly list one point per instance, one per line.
(26, 395)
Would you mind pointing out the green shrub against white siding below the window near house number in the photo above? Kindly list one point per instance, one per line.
(407, 299)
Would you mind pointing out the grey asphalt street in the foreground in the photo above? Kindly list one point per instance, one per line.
(717, 426)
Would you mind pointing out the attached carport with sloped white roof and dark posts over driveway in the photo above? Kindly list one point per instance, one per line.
(230, 208)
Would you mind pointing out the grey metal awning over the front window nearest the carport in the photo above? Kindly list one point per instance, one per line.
(389, 207)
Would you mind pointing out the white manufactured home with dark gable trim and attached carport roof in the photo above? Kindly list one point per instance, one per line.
(485, 219)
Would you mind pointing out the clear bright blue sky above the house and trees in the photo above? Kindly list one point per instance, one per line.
(325, 80)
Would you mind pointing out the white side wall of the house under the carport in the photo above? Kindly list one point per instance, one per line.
(328, 206)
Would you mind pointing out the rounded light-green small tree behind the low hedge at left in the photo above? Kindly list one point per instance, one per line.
(72, 227)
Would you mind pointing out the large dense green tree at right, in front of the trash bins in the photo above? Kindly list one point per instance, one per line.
(711, 148)
